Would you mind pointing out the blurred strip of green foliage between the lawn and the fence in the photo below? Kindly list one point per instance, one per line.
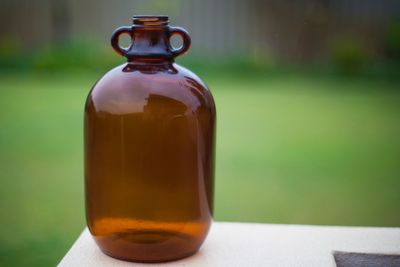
(347, 58)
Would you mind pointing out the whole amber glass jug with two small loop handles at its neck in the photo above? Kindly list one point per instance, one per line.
(149, 150)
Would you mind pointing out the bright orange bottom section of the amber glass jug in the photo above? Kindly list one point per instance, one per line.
(148, 242)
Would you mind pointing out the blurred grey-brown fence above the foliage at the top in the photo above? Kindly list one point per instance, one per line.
(290, 30)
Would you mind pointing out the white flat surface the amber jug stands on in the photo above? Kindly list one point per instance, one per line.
(250, 244)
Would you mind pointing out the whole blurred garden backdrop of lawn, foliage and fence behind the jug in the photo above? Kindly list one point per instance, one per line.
(308, 102)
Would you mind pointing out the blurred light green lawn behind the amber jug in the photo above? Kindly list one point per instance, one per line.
(290, 149)
